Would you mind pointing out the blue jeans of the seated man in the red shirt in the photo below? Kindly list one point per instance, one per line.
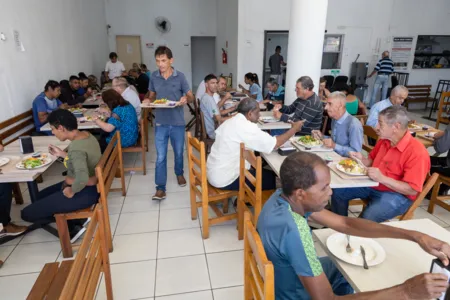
(382, 206)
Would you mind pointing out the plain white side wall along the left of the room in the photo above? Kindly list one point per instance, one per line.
(60, 38)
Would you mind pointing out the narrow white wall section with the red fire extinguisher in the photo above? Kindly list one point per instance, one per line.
(227, 30)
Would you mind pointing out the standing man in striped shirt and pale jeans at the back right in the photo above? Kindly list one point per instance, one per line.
(383, 69)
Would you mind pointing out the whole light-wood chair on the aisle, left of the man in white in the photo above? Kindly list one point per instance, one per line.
(199, 187)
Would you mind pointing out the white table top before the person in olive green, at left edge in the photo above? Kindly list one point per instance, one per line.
(12, 151)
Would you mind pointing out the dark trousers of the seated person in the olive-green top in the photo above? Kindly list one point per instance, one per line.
(52, 201)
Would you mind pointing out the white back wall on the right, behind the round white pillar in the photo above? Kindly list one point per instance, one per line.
(363, 23)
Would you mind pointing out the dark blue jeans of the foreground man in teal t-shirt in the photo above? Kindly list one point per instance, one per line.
(337, 281)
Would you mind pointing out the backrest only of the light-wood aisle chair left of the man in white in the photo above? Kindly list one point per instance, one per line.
(197, 165)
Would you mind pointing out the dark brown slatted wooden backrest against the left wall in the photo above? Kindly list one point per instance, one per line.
(10, 128)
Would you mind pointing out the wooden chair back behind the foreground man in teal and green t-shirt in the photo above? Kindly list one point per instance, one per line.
(259, 278)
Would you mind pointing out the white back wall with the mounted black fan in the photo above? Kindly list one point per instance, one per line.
(188, 18)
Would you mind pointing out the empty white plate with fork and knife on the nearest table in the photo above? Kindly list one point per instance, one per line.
(337, 243)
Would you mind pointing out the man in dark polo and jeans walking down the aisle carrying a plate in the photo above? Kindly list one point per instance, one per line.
(170, 84)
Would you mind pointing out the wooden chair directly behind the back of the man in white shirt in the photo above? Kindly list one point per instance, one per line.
(250, 189)
